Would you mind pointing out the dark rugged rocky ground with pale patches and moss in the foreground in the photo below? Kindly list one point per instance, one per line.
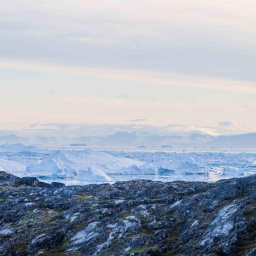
(137, 217)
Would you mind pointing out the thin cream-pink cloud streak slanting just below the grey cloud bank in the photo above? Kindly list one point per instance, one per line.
(156, 78)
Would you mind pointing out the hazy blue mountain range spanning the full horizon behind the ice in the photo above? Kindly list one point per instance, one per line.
(140, 140)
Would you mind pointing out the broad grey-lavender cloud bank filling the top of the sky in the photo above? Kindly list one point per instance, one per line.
(200, 38)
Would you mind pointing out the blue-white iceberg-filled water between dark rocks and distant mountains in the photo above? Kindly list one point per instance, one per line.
(92, 166)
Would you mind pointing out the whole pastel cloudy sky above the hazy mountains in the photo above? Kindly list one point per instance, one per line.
(187, 64)
